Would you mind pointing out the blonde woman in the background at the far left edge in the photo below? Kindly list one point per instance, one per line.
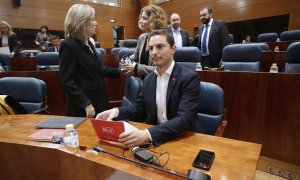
(8, 38)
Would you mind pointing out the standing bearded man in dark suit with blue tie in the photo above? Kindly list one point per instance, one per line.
(211, 38)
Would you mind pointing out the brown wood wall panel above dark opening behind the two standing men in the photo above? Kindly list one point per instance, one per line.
(233, 10)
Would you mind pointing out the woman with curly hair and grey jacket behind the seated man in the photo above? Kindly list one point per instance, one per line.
(151, 18)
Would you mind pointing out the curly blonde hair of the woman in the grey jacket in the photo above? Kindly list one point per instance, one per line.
(157, 17)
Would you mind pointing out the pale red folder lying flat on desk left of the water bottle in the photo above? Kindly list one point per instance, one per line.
(46, 134)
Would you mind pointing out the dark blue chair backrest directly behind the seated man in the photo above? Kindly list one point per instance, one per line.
(210, 109)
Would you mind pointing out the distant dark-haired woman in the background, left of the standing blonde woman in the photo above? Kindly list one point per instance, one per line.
(43, 38)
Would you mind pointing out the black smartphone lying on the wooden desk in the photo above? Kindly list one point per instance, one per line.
(204, 159)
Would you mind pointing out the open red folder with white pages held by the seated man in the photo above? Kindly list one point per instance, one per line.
(111, 130)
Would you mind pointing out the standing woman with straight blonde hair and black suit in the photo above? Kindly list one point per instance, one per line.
(81, 70)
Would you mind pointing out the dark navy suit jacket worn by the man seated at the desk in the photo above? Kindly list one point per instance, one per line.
(182, 102)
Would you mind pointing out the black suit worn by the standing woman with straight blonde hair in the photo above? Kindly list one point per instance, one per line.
(81, 73)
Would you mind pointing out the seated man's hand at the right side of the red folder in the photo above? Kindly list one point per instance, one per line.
(134, 138)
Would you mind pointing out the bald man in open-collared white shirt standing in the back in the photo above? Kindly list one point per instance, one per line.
(180, 35)
